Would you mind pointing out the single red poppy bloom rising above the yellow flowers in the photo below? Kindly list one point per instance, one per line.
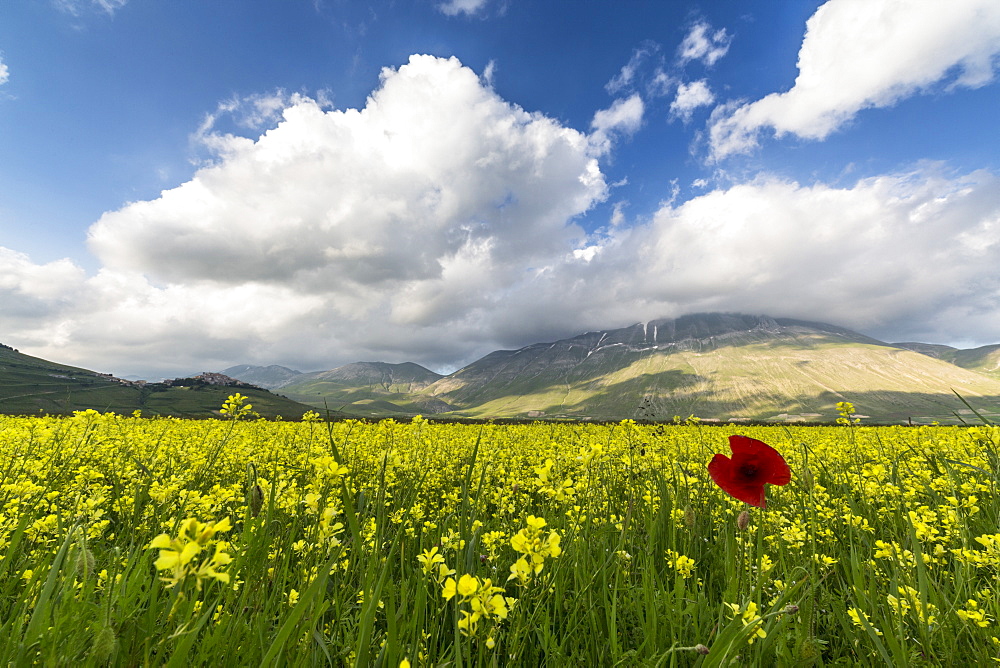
(754, 464)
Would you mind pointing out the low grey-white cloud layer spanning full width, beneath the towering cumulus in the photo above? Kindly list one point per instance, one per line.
(911, 256)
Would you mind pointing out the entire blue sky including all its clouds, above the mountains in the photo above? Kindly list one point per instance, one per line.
(188, 185)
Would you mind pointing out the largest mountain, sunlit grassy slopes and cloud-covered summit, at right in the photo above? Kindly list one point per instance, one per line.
(720, 366)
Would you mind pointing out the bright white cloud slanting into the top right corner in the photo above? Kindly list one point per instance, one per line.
(859, 54)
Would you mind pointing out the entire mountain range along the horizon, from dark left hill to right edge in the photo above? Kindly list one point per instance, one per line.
(718, 366)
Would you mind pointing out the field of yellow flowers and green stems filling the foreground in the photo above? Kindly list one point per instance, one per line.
(132, 541)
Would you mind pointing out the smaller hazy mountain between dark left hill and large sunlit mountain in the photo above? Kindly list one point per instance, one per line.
(369, 389)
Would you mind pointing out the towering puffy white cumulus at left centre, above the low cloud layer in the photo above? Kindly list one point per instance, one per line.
(434, 167)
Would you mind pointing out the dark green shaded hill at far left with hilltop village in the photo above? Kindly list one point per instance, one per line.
(31, 385)
